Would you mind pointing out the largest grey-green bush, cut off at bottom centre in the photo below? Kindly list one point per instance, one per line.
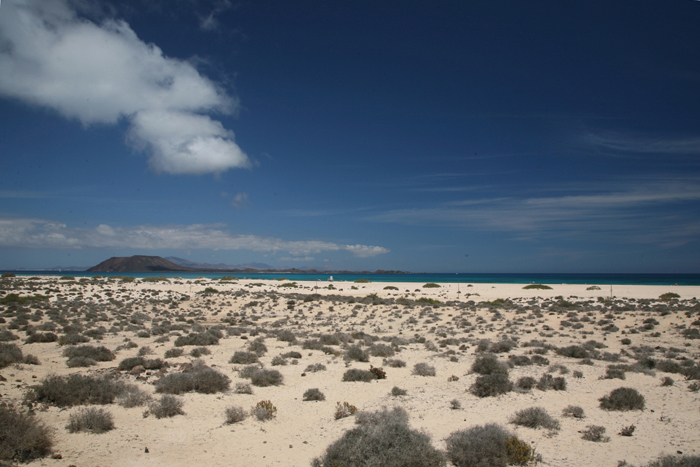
(385, 441)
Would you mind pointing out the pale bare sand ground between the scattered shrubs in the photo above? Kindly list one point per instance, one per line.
(302, 430)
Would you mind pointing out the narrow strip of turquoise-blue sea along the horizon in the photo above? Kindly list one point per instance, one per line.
(463, 278)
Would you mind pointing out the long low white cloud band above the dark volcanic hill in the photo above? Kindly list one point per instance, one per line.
(41, 233)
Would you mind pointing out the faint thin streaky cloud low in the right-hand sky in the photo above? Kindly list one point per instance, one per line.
(639, 210)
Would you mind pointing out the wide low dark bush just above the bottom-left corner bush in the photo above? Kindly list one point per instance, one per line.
(75, 389)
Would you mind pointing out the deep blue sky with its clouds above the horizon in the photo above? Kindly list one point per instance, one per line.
(438, 136)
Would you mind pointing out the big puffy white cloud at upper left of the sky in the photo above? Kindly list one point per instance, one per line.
(53, 57)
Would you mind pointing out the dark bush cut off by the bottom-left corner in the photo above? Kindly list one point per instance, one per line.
(22, 436)
